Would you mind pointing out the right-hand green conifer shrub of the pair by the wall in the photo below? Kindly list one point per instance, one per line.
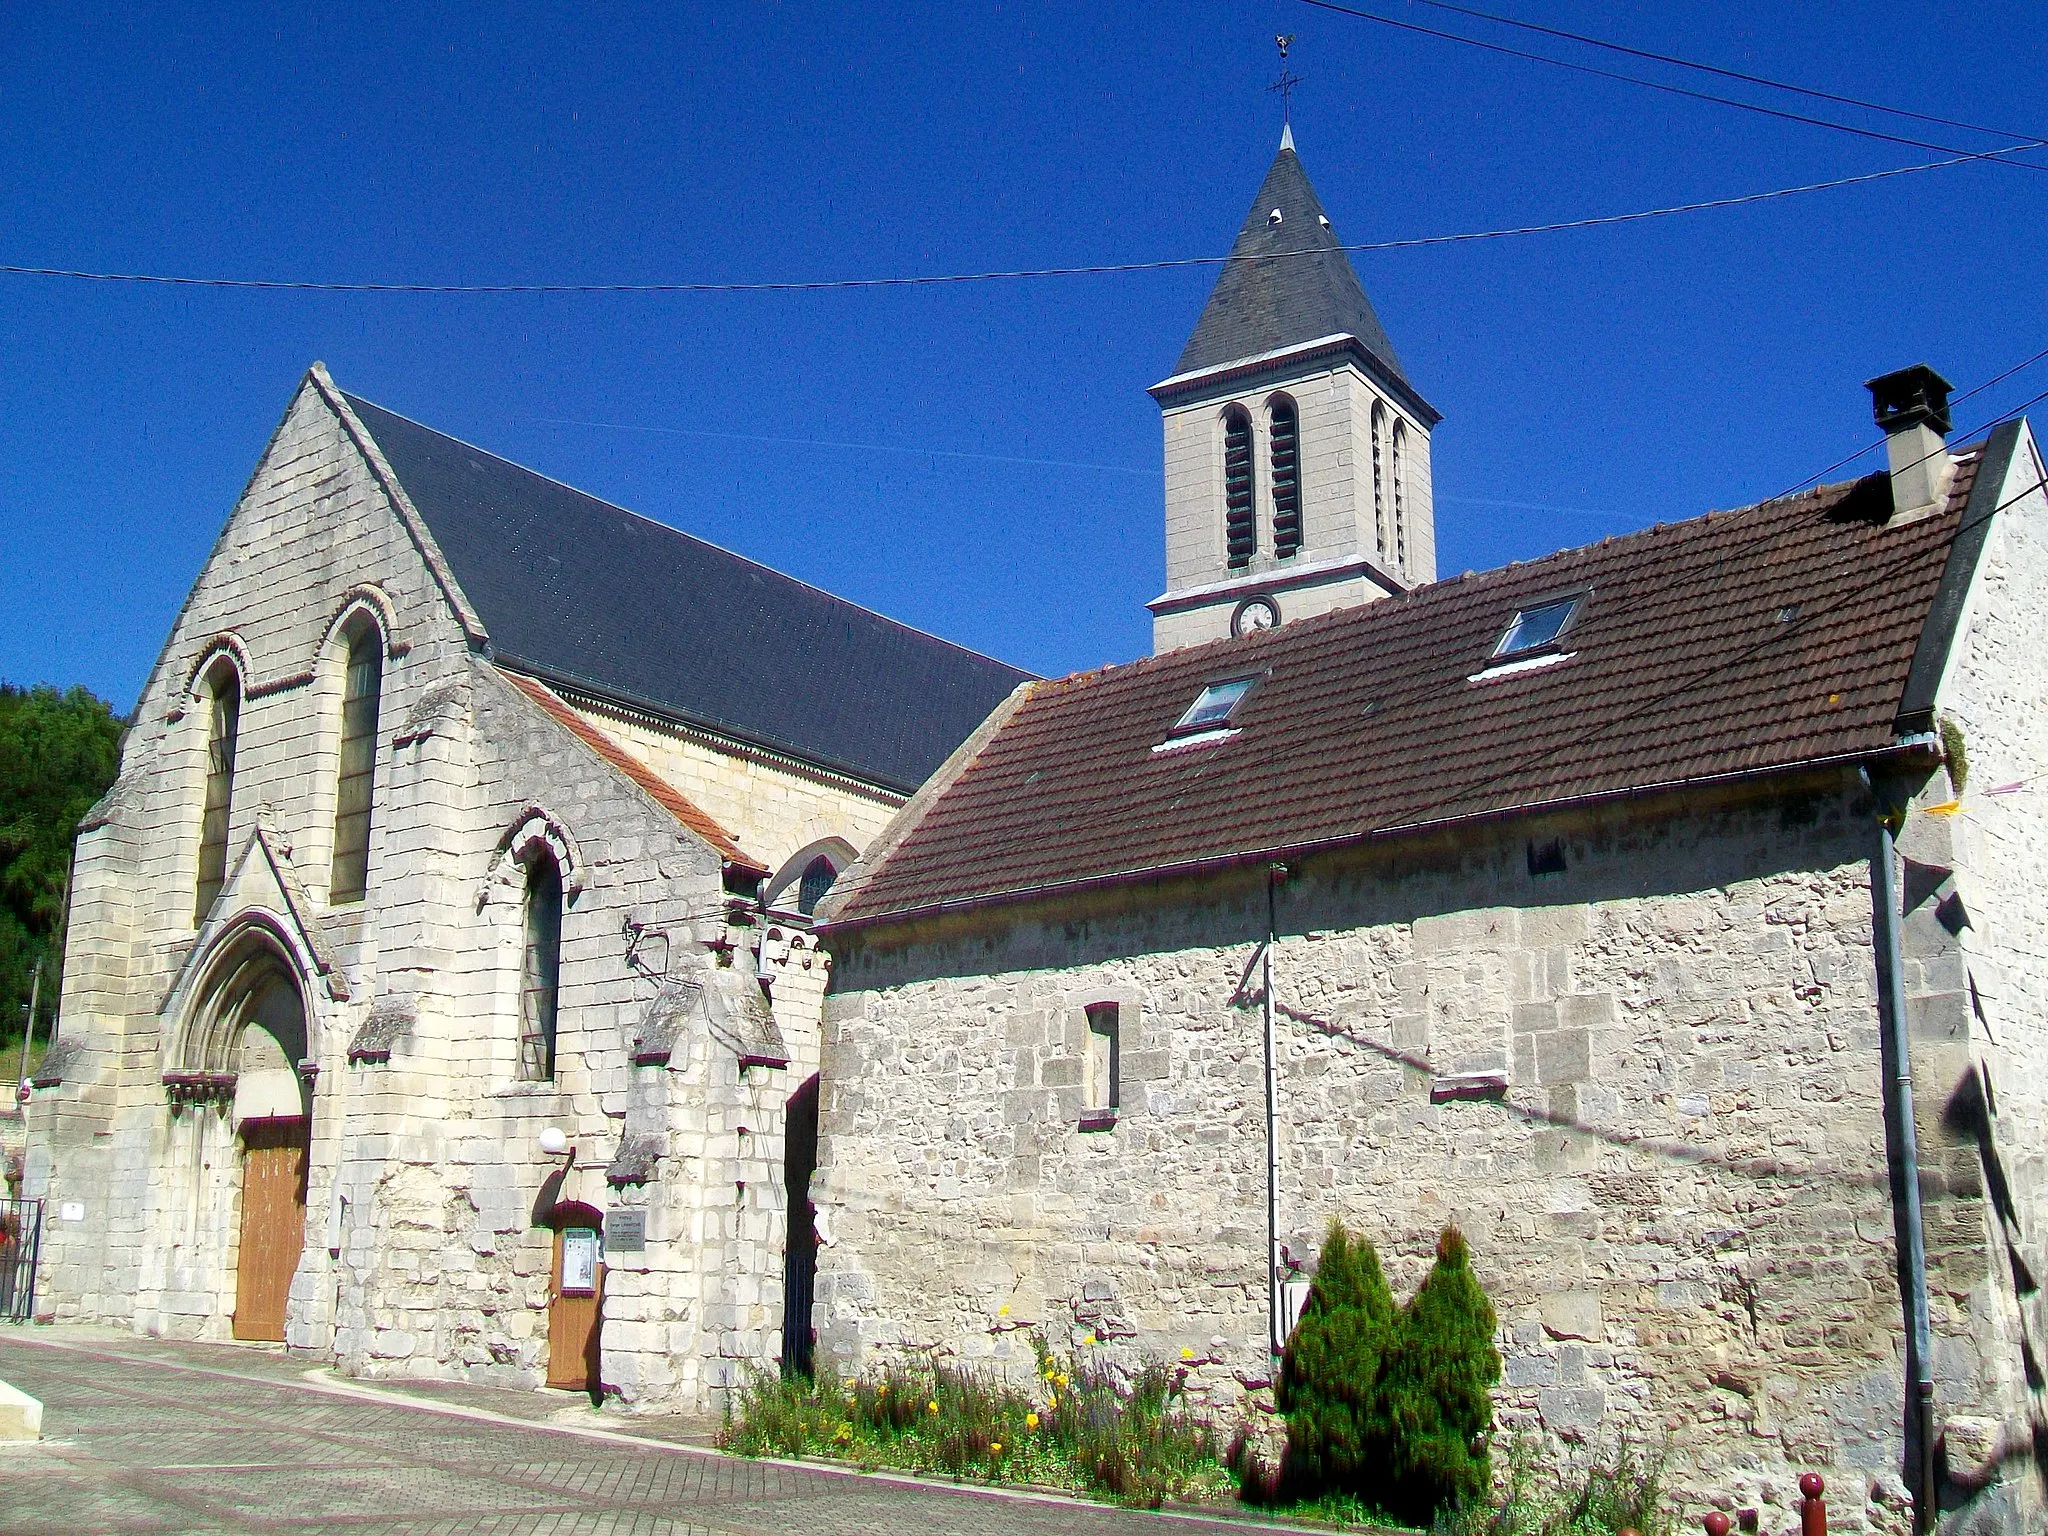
(1435, 1410)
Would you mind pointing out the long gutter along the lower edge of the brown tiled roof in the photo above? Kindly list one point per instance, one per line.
(1289, 853)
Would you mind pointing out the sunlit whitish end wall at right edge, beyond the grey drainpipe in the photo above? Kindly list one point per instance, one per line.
(1979, 962)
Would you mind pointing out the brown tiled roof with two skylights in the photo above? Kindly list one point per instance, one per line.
(1732, 644)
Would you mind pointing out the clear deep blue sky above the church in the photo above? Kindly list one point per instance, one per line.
(980, 462)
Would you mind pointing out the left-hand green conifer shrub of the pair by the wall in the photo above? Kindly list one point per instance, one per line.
(1330, 1373)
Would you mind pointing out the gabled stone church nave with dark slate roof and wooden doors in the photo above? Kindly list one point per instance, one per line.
(439, 970)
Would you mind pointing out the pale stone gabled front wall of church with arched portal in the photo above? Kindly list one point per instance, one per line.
(425, 1248)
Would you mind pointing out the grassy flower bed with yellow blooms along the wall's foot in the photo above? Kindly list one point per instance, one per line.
(1084, 1426)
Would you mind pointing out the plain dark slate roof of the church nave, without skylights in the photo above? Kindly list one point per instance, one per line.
(589, 595)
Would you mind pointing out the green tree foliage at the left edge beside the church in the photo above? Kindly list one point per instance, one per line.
(58, 755)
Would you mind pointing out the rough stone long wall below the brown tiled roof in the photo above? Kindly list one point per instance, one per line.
(1678, 1203)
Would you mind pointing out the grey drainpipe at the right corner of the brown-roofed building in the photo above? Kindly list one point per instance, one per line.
(1904, 1142)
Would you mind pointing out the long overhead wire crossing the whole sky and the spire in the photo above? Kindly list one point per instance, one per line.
(998, 275)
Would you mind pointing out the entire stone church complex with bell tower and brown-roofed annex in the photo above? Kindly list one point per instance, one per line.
(531, 945)
